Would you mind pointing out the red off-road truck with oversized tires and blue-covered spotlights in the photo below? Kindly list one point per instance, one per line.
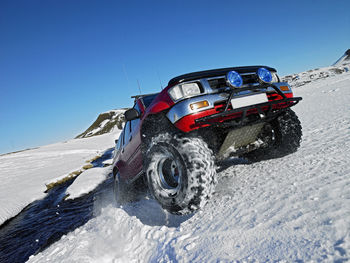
(172, 139)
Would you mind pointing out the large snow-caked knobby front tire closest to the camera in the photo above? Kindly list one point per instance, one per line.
(180, 172)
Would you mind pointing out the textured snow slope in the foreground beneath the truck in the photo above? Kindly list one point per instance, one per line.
(295, 208)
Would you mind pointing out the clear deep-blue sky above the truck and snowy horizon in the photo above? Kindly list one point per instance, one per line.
(62, 62)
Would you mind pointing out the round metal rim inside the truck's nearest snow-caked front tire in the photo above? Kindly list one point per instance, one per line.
(169, 175)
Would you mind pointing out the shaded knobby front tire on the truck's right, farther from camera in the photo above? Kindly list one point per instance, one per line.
(282, 137)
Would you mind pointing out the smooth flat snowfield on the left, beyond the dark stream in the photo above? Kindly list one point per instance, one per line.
(24, 174)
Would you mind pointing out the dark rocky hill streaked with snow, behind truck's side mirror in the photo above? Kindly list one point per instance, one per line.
(106, 122)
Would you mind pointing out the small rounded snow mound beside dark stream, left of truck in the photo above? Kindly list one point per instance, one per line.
(87, 181)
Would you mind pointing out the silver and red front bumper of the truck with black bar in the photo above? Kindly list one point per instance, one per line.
(219, 111)
